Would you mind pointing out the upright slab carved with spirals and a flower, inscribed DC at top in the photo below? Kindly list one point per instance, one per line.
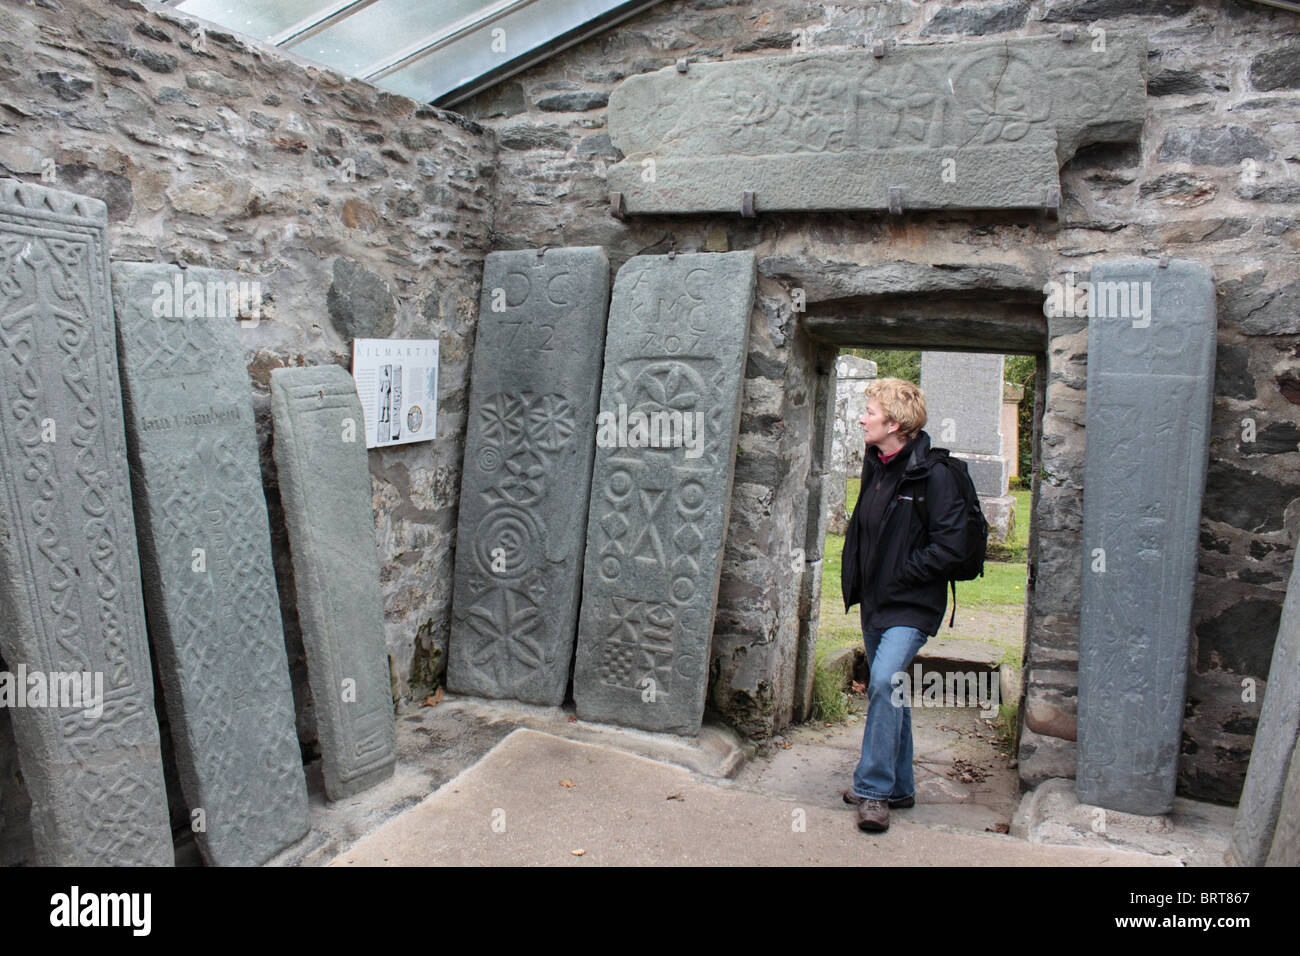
(527, 473)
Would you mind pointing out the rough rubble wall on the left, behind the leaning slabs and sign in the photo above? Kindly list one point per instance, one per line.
(357, 211)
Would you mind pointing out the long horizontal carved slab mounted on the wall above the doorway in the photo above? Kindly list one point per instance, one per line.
(960, 126)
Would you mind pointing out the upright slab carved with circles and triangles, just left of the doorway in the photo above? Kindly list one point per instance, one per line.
(679, 331)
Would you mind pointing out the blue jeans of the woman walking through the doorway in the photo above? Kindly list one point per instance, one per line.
(885, 772)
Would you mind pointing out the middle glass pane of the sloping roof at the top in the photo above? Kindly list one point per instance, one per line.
(378, 33)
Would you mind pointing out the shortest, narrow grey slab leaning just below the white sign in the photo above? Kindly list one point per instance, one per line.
(326, 488)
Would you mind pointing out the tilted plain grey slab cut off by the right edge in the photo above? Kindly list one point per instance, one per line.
(1276, 741)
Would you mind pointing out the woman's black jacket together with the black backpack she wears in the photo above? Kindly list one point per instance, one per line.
(902, 578)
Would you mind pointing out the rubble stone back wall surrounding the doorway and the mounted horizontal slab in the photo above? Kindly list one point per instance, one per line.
(1214, 178)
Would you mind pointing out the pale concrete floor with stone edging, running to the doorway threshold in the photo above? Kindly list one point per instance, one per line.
(504, 784)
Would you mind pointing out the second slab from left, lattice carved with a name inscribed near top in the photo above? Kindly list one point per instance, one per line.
(206, 556)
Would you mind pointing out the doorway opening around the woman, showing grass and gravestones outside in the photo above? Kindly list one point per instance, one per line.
(965, 758)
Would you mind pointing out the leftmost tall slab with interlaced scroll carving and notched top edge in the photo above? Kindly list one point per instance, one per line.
(70, 577)
